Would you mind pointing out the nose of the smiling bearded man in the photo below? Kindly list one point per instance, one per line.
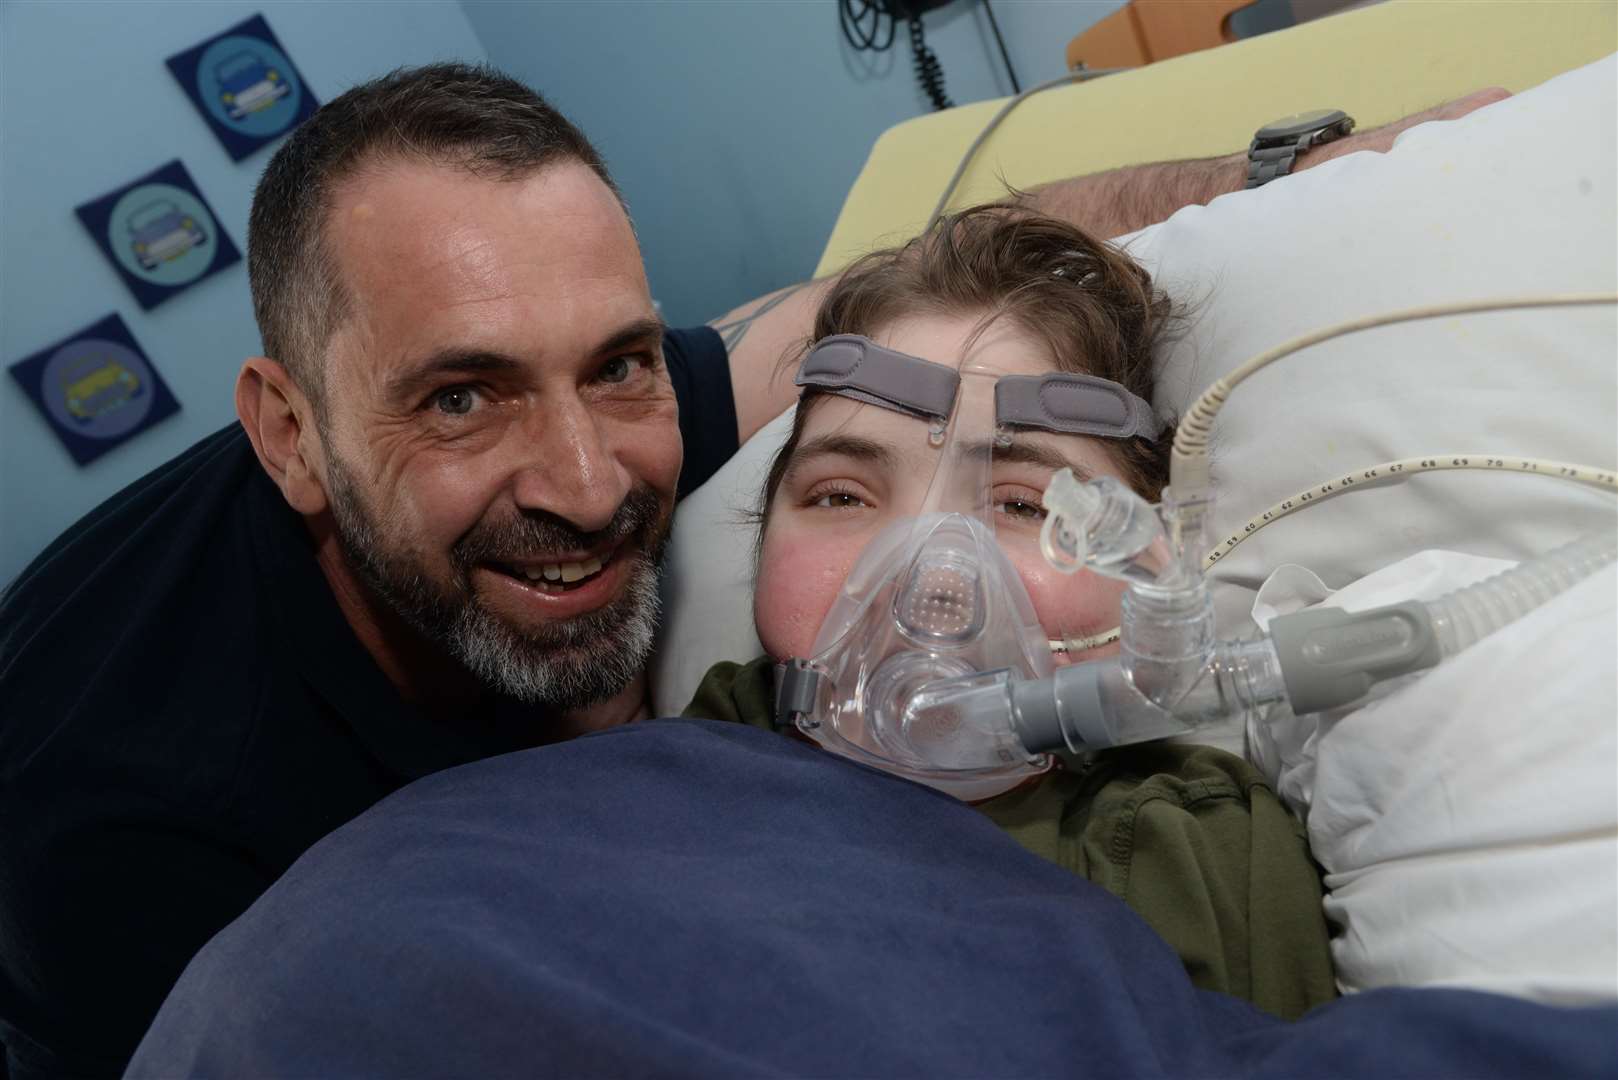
(569, 466)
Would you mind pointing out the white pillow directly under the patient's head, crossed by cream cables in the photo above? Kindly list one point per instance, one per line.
(1515, 198)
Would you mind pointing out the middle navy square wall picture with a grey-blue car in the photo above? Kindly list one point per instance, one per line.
(159, 234)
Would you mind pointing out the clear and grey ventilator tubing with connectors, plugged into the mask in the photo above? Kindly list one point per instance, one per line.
(1172, 676)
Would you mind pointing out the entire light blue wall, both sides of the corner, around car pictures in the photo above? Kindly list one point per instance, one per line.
(734, 127)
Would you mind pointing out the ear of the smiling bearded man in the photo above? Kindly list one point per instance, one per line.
(282, 428)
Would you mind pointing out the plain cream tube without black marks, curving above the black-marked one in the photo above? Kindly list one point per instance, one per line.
(1188, 469)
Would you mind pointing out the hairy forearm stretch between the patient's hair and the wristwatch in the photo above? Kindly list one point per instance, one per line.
(1125, 200)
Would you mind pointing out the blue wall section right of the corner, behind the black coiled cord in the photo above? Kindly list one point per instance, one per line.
(737, 129)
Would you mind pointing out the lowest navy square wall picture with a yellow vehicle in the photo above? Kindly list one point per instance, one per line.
(96, 389)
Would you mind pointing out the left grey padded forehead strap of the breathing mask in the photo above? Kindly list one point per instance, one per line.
(858, 368)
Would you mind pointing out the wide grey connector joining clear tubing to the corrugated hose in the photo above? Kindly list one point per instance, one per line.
(1332, 658)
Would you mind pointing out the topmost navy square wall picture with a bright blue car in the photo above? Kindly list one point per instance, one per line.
(245, 87)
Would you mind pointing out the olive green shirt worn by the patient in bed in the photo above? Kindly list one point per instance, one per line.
(1192, 838)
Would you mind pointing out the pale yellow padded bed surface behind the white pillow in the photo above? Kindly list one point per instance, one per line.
(1378, 64)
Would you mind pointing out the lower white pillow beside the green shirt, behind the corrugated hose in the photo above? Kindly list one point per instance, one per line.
(1467, 820)
